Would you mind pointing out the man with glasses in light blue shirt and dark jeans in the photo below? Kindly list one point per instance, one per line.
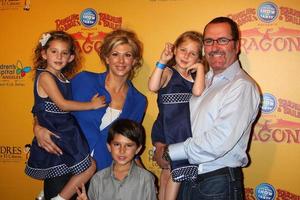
(221, 120)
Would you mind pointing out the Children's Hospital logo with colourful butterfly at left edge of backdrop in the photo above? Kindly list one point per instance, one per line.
(13, 74)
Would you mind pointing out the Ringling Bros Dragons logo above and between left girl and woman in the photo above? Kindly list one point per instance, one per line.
(89, 20)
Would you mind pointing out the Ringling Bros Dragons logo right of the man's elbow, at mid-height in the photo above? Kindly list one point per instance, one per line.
(272, 129)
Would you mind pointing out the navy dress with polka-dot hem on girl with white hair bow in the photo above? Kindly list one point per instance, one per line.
(75, 158)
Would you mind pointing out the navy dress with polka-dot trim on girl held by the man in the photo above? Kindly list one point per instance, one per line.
(173, 122)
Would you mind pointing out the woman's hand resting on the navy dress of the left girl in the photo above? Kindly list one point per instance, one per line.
(44, 140)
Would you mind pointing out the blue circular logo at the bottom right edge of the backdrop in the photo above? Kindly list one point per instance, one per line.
(265, 191)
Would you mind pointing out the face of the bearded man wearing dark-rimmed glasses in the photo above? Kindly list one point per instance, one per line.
(220, 57)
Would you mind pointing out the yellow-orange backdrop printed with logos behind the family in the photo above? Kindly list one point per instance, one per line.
(270, 53)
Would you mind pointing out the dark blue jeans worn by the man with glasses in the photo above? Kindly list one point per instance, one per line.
(227, 185)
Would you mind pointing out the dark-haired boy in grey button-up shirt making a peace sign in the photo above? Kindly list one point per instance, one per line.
(123, 179)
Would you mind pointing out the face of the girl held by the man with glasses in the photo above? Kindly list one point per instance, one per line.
(187, 53)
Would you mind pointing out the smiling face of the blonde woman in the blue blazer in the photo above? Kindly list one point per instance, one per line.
(121, 60)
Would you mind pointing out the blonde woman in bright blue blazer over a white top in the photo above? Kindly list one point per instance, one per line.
(121, 52)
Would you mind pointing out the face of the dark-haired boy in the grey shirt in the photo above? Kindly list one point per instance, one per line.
(123, 150)
